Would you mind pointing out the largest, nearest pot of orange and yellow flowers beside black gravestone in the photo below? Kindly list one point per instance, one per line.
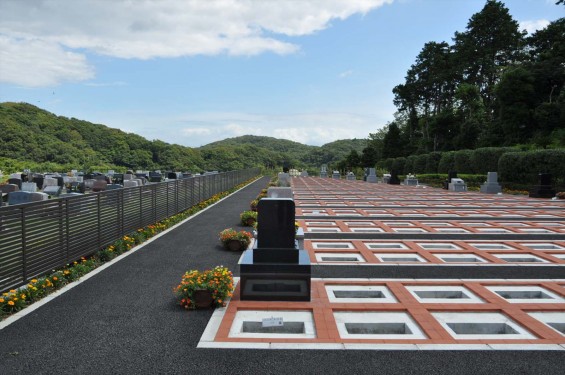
(203, 289)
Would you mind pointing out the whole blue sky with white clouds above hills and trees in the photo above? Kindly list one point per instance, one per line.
(194, 72)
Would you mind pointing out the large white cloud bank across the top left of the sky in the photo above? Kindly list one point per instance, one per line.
(43, 33)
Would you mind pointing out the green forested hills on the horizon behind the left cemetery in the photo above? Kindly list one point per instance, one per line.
(34, 138)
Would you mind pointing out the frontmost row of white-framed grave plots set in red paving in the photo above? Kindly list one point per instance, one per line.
(399, 314)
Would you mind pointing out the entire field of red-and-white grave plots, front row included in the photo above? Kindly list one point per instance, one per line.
(370, 244)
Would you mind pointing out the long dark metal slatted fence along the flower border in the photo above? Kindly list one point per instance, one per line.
(36, 238)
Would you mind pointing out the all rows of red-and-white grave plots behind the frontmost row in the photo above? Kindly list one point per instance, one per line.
(360, 223)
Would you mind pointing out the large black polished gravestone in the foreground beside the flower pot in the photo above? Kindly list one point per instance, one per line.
(275, 269)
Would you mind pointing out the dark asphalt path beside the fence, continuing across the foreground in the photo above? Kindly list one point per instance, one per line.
(125, 320)
